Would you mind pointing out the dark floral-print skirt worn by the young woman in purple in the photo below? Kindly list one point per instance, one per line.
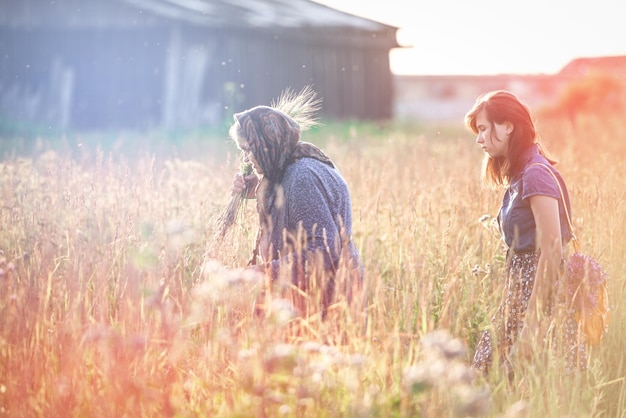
(509, 319)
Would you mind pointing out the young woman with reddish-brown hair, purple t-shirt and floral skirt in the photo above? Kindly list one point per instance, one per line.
(534, 227)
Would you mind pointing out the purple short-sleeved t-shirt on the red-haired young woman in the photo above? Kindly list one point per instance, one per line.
(516, 220)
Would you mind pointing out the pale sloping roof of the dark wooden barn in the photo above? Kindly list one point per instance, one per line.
(249, 14)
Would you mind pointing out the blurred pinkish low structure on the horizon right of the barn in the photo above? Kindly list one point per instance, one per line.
(448, 97)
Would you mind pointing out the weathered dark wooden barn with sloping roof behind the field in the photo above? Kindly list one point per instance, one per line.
(148, 64)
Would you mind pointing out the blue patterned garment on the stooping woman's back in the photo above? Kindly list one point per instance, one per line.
(312, 211)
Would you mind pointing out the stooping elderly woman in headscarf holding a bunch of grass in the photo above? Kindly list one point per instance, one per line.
(303, 202)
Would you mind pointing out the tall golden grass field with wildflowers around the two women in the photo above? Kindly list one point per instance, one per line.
(116, 300)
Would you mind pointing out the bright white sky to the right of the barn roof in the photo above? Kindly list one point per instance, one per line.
(476, 37)
